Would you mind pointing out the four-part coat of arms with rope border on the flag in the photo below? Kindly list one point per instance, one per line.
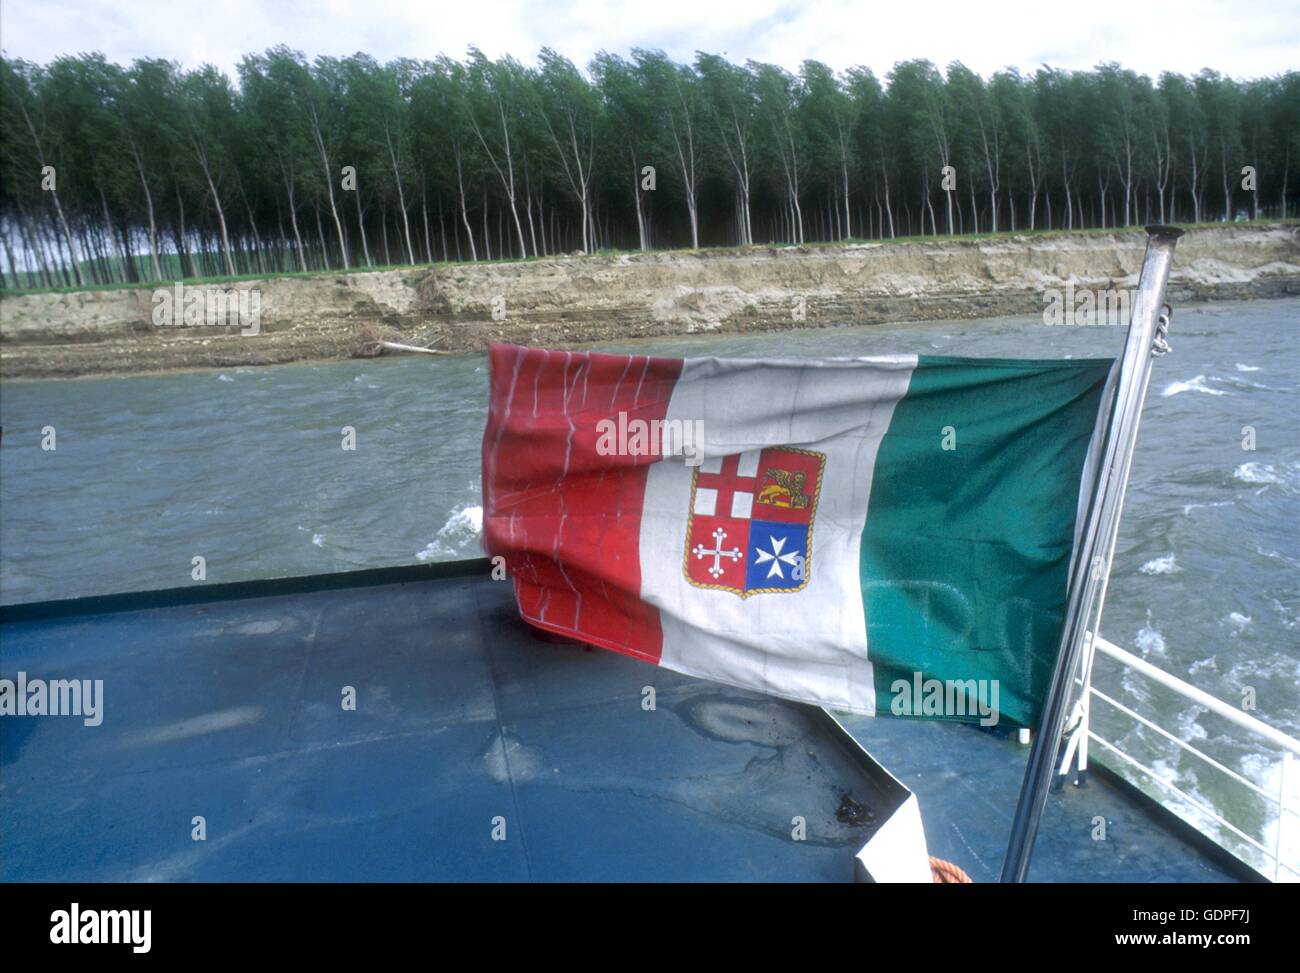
(751, 524)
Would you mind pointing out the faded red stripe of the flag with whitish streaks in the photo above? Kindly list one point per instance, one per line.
(567, 520)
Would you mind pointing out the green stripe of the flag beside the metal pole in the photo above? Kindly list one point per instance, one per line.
(967, 551)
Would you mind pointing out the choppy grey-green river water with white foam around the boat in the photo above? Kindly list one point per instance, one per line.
(245, 468)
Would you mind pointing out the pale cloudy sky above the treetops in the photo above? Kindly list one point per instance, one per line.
(1236, 37)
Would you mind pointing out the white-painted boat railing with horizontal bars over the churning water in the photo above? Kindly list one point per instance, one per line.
(1082, 733)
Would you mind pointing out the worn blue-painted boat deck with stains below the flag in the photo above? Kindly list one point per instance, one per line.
(232, 711)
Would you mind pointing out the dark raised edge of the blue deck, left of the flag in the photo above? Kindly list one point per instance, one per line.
(232, 591)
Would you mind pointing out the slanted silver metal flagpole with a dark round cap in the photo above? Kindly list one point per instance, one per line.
(1093, 561)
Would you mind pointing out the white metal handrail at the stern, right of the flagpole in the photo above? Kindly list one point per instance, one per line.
(1289, 746)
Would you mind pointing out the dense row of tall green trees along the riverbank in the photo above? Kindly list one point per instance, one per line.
(154, 172)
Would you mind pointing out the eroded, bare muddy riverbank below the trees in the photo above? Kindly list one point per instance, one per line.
(570, 301)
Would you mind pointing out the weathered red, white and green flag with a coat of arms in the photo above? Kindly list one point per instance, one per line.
(846, 533)
